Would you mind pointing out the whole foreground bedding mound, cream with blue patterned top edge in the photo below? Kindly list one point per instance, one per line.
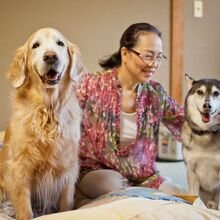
(138, 203)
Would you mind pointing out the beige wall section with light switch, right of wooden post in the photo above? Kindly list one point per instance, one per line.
(201, 41)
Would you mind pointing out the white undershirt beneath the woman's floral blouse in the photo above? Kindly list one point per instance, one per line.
(128, 128)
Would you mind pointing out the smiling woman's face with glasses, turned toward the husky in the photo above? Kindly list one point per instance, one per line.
(142, 61)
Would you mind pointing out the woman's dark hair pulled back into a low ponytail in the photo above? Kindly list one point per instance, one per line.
(129, 39)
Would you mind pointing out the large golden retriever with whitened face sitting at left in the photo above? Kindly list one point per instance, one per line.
(39, 159)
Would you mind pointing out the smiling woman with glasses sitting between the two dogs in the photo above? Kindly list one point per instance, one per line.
(122, 111)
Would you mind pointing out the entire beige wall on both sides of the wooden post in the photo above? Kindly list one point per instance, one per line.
(96, 26)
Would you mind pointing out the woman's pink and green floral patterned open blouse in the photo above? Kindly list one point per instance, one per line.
(100, 96)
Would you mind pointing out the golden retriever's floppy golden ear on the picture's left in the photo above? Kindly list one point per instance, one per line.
(16, 73)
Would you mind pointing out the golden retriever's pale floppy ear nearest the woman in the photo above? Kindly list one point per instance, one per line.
(76, 66)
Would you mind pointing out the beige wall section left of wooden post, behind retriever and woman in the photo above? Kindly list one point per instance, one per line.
(94, 25)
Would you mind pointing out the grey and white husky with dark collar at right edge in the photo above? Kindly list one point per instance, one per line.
(201, 140)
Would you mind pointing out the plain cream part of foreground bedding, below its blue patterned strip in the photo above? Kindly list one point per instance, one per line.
(137, 208)
